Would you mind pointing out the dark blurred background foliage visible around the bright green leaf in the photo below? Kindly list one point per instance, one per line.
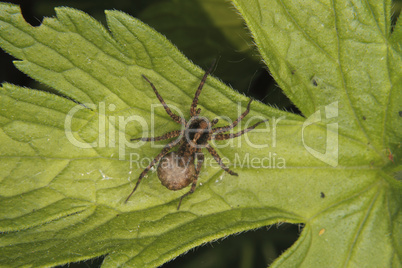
(203, 30)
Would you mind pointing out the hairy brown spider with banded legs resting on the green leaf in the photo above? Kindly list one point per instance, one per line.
(176, 169)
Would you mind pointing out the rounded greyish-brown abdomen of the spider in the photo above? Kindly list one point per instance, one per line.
(175, 171)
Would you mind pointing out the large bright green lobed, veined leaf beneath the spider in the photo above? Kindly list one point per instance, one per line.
(61, 201)
